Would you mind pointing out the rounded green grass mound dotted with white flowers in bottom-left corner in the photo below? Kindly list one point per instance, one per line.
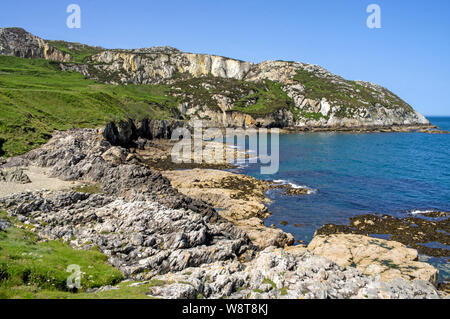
(25, 262)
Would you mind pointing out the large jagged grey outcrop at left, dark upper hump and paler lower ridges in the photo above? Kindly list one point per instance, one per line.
(139, 220)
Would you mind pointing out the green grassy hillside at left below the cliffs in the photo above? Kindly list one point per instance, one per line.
(36, 98)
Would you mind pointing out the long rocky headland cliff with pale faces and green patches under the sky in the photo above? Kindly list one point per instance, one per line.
(229, 92)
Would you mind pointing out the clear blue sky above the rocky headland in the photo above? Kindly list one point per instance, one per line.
(409, 54)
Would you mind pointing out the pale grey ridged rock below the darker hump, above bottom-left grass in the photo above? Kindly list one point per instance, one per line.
(141, 237)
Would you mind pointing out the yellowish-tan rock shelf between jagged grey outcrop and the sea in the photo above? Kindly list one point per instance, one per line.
(239, 197)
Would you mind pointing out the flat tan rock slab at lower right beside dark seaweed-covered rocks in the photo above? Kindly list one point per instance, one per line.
(373, 256)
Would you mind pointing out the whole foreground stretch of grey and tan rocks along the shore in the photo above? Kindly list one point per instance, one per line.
(199, 232)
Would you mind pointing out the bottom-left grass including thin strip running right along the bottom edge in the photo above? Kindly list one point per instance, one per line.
(37, 270)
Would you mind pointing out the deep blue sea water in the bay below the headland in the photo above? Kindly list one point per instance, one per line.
(354, 174)
